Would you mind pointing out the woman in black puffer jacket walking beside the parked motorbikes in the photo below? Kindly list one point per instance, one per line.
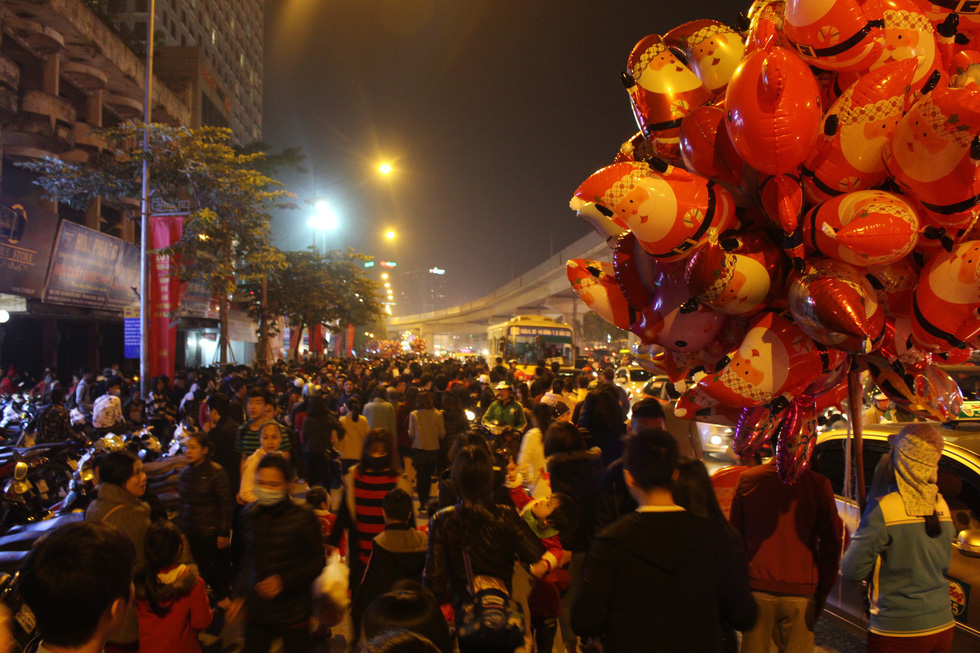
(206, 507)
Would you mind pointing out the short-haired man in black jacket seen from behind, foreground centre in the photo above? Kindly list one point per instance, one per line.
(661, 576)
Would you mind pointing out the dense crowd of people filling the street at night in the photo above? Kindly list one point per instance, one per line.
(553, 515)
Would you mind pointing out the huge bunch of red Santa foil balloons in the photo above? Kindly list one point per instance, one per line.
(802, 199)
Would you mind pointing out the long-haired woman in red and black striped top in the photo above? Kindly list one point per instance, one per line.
(365, 485)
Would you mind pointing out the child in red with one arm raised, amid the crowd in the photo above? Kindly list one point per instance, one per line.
(547, 517)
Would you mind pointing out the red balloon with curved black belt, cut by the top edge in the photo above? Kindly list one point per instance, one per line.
(834, 34)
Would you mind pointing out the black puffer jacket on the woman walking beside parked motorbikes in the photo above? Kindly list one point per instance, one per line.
(206, 501)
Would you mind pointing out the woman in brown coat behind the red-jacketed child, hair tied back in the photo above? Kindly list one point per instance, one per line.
(119, 503)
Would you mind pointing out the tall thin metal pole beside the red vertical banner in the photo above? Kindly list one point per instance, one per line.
(145, 384)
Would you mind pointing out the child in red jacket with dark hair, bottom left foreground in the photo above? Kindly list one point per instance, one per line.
(172, 603)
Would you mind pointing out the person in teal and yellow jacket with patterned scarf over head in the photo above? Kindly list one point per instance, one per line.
(903, 545)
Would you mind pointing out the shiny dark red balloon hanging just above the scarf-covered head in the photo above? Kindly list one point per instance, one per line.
(930, 393)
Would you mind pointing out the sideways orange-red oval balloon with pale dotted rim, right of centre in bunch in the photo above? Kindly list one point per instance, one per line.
(863, 228)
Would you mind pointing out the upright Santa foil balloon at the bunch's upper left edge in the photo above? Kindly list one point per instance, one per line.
(662, 91)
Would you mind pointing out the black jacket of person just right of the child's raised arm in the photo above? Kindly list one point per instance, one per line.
(579, 475)
